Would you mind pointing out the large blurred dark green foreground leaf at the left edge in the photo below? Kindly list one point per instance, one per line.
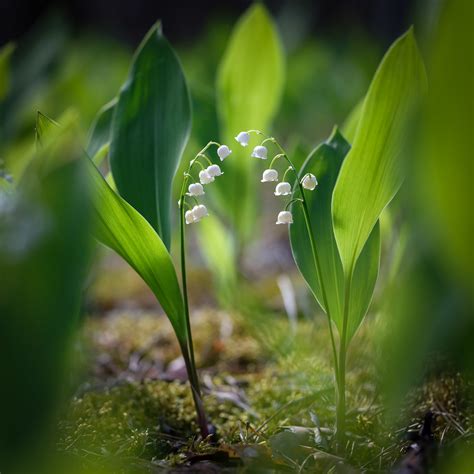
(44, 230)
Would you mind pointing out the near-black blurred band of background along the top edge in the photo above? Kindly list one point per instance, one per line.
(128, 21)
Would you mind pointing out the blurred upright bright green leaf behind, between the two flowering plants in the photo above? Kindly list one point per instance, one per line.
(249, 87)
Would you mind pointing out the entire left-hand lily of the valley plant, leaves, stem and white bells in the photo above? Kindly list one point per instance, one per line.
(144, 131)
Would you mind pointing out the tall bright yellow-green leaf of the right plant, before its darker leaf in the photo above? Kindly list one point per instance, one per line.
(372, 172)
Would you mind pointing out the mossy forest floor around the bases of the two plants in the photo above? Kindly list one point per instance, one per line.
(271, 402)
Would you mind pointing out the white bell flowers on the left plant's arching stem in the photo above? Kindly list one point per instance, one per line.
(206, 176)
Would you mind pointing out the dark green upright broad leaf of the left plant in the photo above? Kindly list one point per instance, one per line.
(150, 128)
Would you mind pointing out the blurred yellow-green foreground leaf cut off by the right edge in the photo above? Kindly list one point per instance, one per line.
(445, 172)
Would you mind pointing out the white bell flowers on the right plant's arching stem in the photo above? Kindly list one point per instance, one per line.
(283, 188)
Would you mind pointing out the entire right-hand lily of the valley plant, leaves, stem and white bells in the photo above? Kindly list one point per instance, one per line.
(334, 201)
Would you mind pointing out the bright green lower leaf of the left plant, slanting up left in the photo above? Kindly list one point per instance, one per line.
(123, 229)
